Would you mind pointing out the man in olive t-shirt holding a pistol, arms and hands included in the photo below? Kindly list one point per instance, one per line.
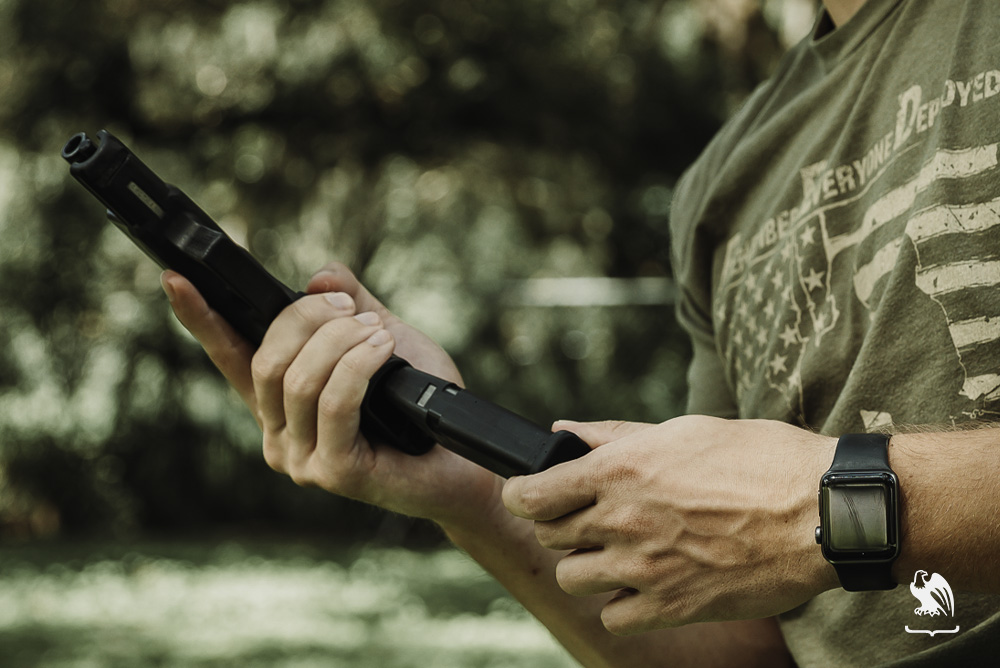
(837, 252)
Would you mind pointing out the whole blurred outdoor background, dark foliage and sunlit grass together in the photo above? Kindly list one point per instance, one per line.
(464, 157)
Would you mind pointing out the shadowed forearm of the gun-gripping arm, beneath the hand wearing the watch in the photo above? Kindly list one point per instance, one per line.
(506, 547)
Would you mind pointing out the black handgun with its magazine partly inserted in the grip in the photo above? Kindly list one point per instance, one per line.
(406, 408)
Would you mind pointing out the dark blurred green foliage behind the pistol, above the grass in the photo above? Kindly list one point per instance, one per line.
(443, 149)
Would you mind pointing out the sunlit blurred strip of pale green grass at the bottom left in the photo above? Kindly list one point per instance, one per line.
(258, 604)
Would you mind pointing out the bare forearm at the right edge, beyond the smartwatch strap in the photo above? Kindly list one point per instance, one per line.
(950, 491)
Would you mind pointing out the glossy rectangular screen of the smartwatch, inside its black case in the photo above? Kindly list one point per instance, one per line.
(858, 519)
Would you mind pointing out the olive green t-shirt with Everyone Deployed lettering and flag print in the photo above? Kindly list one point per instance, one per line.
(837, 251)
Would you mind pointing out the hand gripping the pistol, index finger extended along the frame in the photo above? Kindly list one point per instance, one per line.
(304, 386)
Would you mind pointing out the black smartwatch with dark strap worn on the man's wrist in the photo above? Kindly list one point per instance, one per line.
(859, 513)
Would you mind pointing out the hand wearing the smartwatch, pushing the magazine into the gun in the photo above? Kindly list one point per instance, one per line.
(696, 519)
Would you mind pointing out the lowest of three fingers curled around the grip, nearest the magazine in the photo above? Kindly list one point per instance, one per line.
(340, 402)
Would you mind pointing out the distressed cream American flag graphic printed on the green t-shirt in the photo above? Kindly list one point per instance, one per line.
(778, 298)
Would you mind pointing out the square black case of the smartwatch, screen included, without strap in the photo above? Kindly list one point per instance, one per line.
(859, 517)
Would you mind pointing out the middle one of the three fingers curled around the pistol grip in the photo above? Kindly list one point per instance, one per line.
(313, 366)
